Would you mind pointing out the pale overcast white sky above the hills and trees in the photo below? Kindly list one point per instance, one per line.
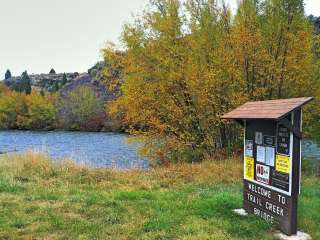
(67, 35)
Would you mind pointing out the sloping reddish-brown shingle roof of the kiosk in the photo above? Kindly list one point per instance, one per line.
(270, 109)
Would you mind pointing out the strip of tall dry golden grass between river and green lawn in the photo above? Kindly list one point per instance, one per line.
(39, 166)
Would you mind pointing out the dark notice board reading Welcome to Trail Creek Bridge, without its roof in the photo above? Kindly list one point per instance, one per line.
(268, 176)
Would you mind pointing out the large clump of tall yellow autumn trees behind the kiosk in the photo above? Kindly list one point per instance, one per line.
(184, 65)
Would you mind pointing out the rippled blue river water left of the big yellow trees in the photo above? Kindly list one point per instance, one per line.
(93, 149)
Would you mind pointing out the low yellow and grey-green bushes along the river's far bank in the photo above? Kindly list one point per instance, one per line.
(79, 109)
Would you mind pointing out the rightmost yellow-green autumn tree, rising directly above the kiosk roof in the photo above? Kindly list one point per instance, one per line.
(275, 48)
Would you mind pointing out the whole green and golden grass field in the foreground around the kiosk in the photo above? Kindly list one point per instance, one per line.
(40, 200)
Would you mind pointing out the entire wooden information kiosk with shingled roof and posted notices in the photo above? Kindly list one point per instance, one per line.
(272, 159)
